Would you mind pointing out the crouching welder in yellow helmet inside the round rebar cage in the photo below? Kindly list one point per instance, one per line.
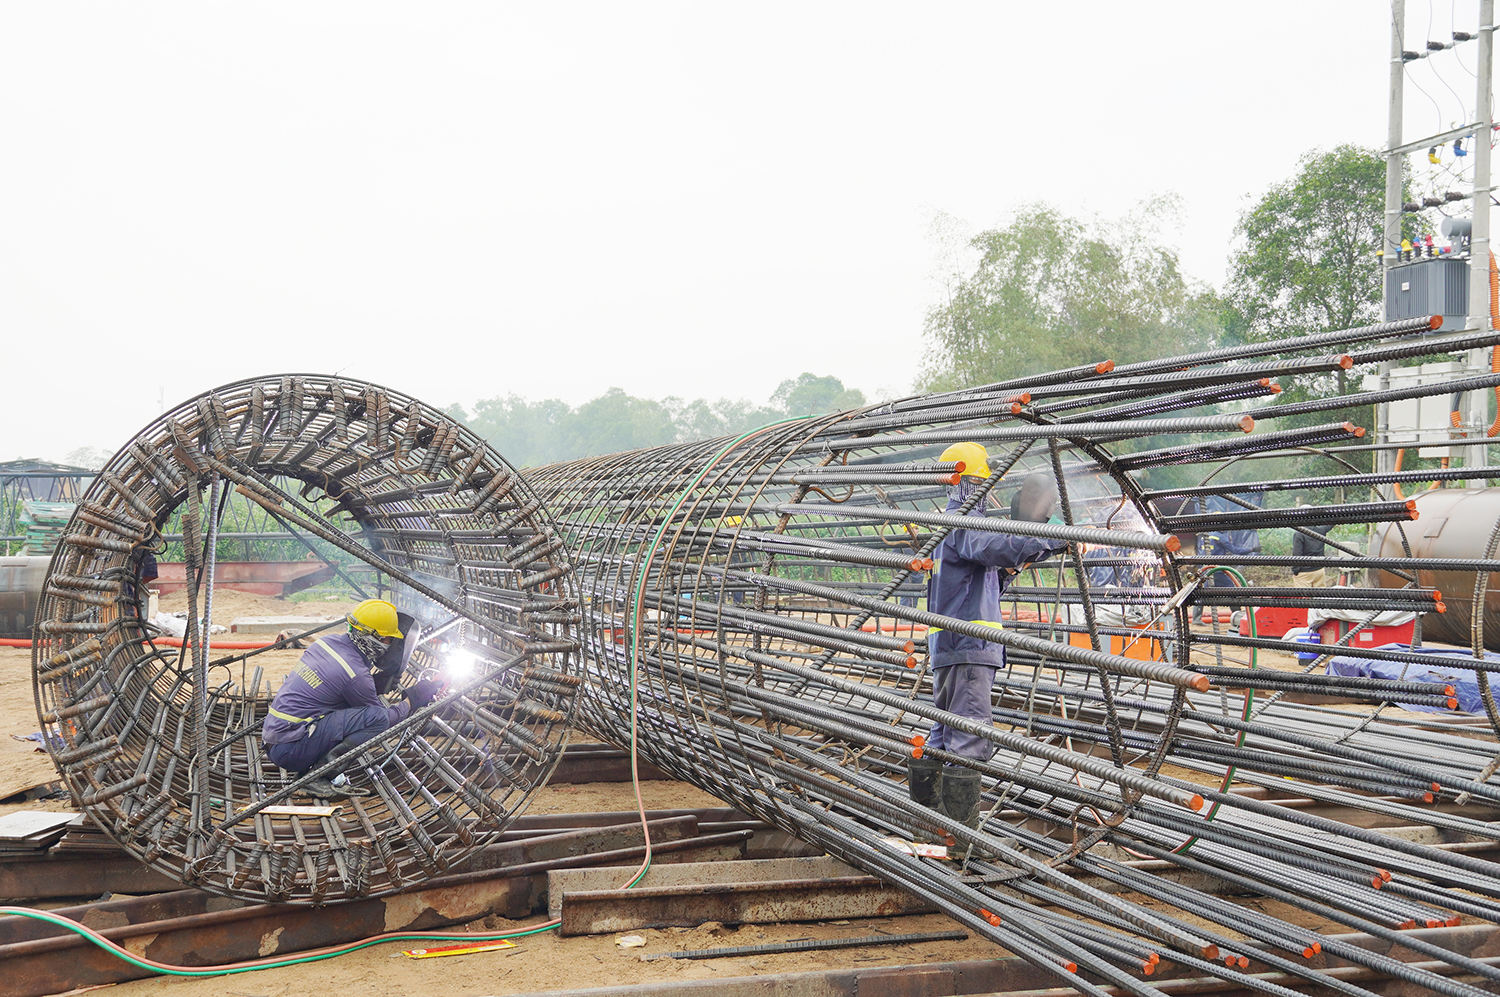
(329, 704)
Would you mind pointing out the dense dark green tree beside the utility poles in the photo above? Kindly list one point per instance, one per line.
(1307, 250)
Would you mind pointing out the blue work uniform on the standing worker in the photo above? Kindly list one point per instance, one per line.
(967, 584)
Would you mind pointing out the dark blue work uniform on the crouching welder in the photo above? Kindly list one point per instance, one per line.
(329, 698)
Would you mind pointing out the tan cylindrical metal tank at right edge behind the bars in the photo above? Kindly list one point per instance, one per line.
(1453, 524)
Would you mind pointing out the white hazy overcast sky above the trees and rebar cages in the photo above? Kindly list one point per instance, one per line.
(550, 200)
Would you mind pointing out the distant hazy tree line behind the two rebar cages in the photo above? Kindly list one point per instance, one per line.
(532, 434)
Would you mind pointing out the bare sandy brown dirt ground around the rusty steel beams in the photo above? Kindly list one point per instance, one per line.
(539, 963)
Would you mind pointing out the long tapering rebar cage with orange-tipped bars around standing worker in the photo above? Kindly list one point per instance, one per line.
(754, 624)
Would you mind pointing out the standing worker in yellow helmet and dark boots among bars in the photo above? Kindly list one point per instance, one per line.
(971, 572)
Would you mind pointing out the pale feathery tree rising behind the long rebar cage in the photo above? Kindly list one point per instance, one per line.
(1051, 292)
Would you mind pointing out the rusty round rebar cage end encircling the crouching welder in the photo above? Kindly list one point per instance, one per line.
(161, 746)
